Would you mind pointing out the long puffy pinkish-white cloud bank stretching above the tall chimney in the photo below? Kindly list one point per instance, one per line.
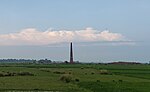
(32, 36)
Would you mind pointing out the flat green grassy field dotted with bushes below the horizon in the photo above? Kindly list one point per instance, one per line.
(75, 78)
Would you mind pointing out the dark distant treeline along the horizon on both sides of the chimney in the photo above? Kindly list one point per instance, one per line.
(47, 61)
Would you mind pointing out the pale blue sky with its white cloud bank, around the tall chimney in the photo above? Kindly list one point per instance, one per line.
(101, 30)
